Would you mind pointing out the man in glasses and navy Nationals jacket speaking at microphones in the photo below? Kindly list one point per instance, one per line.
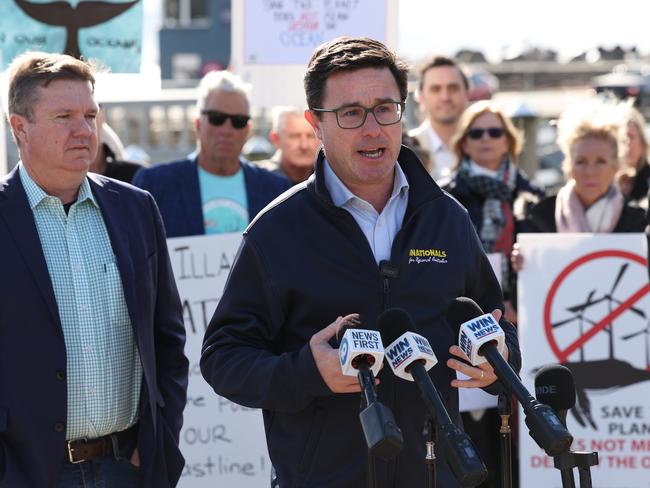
(368, 231)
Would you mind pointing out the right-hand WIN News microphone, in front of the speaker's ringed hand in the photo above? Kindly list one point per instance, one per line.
(479, 338)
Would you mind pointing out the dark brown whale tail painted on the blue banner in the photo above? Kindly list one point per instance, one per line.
(85, 14)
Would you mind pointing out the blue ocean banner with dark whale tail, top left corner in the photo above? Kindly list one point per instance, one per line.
(107, 30)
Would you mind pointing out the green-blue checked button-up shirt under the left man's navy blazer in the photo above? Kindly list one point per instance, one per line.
(103, 365)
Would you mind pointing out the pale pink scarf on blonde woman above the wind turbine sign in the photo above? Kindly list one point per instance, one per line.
(601, 217)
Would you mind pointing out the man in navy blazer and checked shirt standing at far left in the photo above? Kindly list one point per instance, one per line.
(93, 377)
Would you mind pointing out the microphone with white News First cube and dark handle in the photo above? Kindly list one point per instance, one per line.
(361, 353)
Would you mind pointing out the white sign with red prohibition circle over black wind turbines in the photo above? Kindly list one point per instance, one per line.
(584, 302)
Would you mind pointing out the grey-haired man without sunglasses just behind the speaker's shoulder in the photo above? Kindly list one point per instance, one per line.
(296, 144)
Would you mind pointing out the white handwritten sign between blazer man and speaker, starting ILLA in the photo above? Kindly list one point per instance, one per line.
(223, 443)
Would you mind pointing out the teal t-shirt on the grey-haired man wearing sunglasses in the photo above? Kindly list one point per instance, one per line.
(224, 202)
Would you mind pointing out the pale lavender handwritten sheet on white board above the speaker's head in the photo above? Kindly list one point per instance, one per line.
(288, 31)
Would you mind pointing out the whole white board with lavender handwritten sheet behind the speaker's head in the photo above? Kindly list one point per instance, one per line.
(272, 40)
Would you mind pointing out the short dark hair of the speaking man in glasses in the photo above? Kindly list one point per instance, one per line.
(350, 54)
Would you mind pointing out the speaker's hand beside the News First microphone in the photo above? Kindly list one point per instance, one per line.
(327, 360)
